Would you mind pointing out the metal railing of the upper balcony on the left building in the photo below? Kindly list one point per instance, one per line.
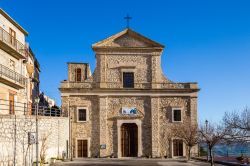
(12, 42)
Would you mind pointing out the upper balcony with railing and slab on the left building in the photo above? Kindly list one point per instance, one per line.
(11, 45)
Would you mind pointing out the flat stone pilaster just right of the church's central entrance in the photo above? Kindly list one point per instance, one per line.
(155, 126)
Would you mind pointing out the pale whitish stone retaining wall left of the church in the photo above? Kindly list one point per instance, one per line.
(53, 137)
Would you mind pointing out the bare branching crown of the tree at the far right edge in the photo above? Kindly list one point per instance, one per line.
(238, 124)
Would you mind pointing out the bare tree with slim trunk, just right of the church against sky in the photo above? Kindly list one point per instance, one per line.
(212, 134)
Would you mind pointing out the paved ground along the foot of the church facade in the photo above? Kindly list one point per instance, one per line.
(131, 162)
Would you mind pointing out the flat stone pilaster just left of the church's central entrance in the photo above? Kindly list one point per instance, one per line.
(103, 125)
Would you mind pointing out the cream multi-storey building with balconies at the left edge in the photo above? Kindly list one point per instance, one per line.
(18, 68)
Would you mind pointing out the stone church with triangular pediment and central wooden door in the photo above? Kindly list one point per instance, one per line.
(126, 107)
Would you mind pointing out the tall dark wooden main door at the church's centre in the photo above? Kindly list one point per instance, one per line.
(129, 140)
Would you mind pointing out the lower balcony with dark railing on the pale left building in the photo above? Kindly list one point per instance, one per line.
(12, 78)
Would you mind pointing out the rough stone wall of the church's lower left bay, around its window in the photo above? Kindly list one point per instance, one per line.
(84, 130)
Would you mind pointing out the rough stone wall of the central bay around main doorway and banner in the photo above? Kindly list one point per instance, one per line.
(114, 107)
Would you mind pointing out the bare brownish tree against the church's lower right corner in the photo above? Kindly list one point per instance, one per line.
(189, 133)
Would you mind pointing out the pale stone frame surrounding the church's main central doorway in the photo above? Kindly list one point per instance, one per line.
(138, 123)
